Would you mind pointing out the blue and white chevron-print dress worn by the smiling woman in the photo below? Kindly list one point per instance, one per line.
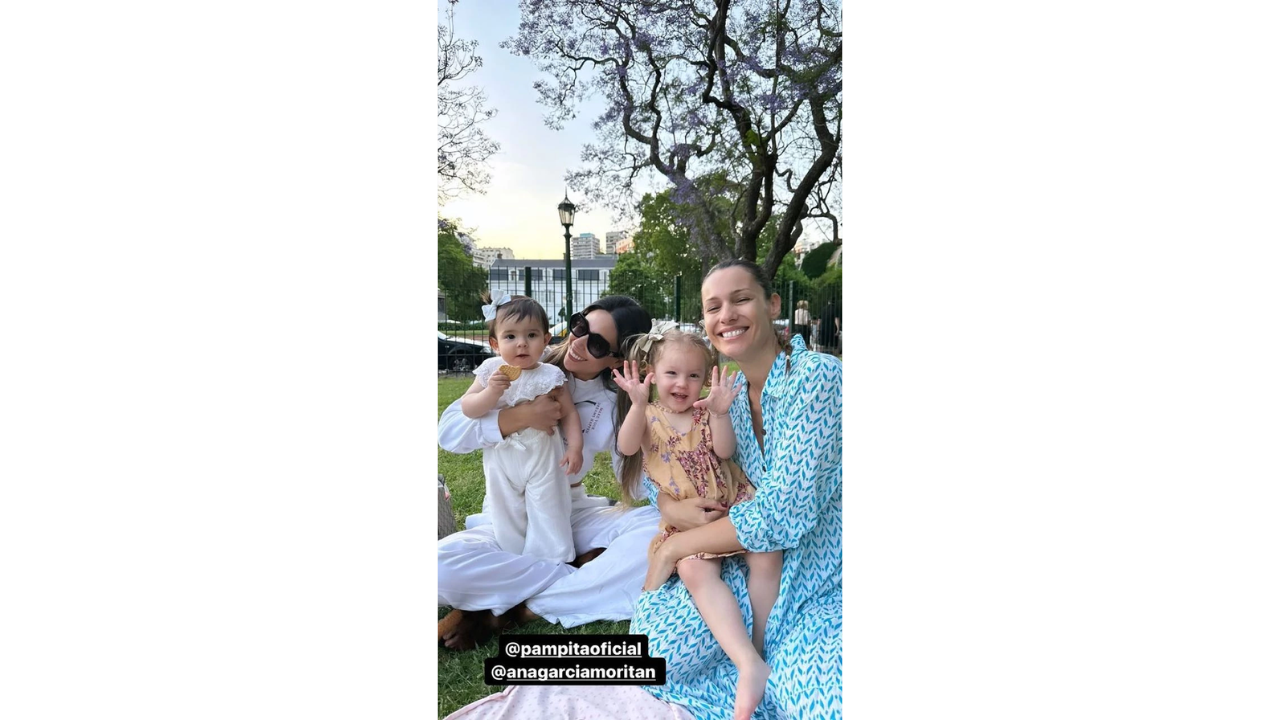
(799, 508)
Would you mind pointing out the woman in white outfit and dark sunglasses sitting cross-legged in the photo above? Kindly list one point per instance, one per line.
(476, 576)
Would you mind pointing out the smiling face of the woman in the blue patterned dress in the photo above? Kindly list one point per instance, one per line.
(738, 315)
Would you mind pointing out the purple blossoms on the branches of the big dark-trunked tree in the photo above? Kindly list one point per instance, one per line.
(554, 31)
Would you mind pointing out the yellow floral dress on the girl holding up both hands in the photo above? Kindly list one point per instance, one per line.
(685, 466)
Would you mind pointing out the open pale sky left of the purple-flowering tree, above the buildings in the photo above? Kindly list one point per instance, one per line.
(519, 209)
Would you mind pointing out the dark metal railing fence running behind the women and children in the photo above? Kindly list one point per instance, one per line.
(463, 347)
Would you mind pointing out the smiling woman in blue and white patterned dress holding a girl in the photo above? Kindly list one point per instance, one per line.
(790, 443)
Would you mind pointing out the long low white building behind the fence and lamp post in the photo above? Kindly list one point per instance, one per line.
(547, 280)
